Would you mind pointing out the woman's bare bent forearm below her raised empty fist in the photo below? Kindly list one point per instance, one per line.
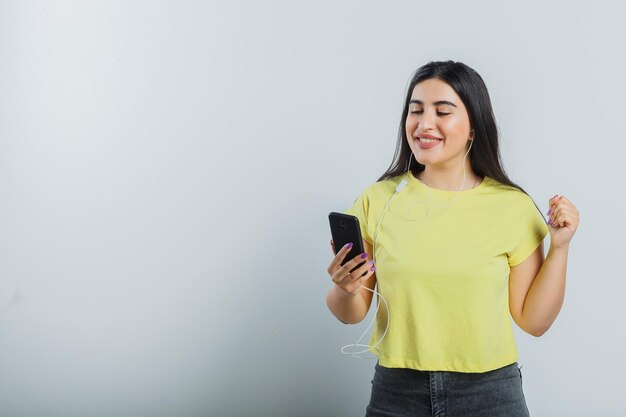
(547, 292)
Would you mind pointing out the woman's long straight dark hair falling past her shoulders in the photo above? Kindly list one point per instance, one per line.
(484, 155)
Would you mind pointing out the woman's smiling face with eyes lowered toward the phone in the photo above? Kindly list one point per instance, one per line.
(437, 125)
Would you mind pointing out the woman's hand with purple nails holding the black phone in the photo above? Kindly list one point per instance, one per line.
(349, 282)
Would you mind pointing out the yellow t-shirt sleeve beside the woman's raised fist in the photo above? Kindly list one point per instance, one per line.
(531, 232)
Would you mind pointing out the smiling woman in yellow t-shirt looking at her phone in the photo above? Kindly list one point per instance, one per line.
(456, 253)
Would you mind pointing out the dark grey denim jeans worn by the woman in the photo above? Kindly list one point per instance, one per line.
(401, 392)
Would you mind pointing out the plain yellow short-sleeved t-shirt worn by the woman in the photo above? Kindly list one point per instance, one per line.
(442, 263)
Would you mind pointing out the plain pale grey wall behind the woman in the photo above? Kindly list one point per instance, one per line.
(166, 171)
